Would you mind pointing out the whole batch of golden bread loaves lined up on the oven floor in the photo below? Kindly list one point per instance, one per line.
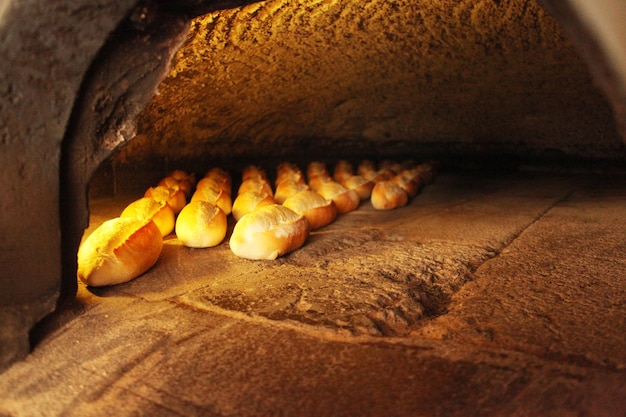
(269, 224)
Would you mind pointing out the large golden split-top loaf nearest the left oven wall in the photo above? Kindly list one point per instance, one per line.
(118, 251)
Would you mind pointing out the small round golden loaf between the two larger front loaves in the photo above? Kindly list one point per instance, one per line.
(201, 225)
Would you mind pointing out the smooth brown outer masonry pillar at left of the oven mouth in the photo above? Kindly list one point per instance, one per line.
(45, 49)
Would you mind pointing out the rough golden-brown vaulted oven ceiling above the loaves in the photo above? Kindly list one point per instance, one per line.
(331, 78)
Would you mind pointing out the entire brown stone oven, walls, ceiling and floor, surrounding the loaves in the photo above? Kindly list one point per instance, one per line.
(499, 290)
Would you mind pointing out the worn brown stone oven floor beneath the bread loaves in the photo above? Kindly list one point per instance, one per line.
(498, 295)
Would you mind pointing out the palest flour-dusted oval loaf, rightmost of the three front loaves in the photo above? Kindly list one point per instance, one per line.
(268, 233)
